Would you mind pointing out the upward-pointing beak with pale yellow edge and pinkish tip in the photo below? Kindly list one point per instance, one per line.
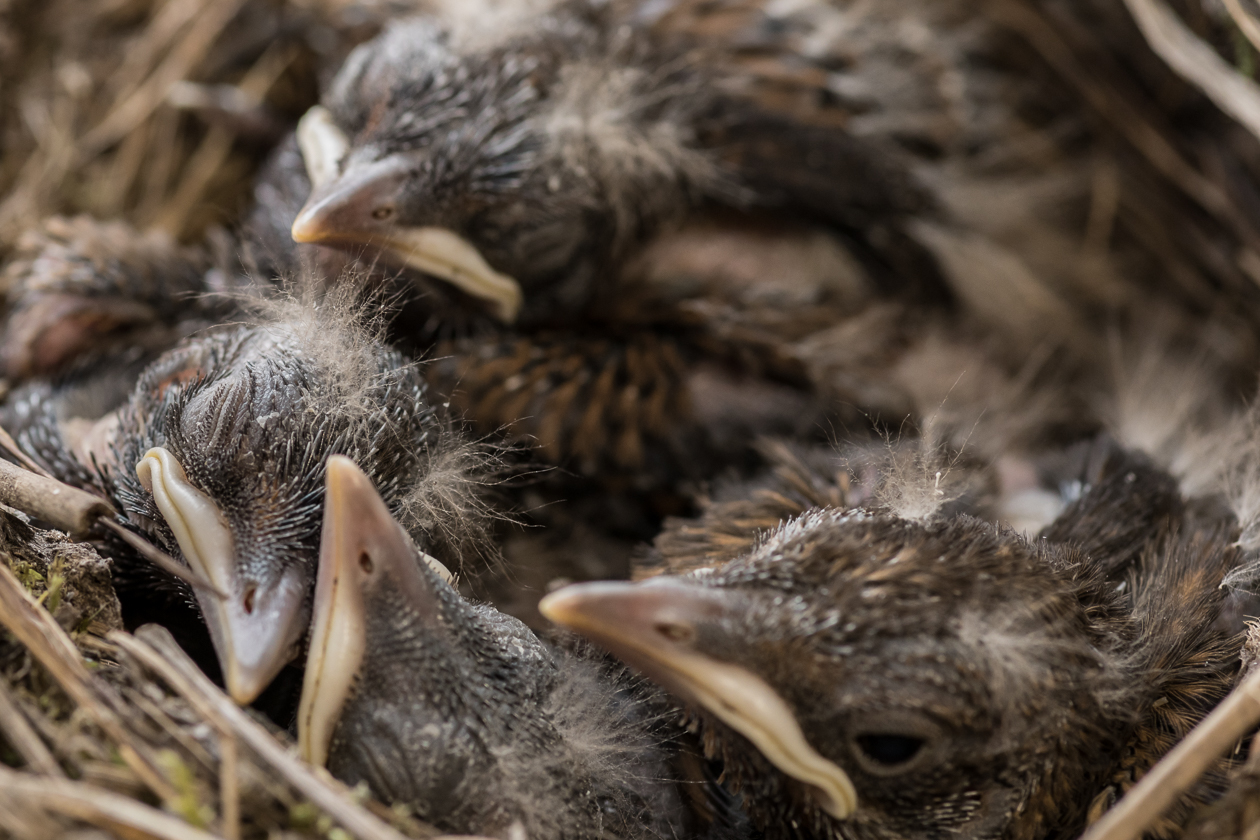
(361, 542)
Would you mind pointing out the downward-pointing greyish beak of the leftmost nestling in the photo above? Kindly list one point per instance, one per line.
(255, 629)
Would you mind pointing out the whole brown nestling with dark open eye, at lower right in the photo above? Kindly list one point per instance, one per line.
(865, 676)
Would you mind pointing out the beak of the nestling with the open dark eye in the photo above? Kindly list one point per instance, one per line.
(652, 627)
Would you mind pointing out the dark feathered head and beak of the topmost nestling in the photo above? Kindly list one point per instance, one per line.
(498, 164)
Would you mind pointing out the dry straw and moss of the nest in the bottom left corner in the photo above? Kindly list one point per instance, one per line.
(127, 735)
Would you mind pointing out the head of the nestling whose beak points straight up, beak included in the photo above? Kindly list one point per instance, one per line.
(427, 697)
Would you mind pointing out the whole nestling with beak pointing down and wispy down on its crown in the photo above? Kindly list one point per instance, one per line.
(217, 454)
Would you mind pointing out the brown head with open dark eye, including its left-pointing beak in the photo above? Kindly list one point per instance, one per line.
(870, 677)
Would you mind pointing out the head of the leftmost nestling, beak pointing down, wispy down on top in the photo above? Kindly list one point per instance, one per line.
(220, 454)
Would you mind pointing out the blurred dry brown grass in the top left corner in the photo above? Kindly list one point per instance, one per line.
(119, 109)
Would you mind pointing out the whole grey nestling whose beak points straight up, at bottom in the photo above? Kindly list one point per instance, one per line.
(461, 711)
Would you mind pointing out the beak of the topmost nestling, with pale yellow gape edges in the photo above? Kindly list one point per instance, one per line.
(356, 207)
